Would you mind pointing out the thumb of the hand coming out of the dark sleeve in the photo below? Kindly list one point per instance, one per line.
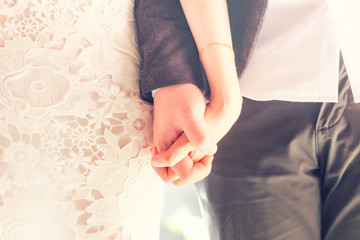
(197, 131)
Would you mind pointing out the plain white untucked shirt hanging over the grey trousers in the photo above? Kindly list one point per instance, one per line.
(296, 56)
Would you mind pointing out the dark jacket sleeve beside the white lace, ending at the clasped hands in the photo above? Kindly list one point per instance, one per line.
(168, 50)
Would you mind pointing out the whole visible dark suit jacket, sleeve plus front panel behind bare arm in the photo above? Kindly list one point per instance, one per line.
(168, 49)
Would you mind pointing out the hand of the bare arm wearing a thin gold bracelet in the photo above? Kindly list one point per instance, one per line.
(185, 161)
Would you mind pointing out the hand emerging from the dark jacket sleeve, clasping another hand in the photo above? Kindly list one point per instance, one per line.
(180, 109)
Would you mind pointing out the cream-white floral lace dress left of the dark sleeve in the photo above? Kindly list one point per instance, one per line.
(74, 133)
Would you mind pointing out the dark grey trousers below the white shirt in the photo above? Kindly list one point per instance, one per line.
(288, 171)
